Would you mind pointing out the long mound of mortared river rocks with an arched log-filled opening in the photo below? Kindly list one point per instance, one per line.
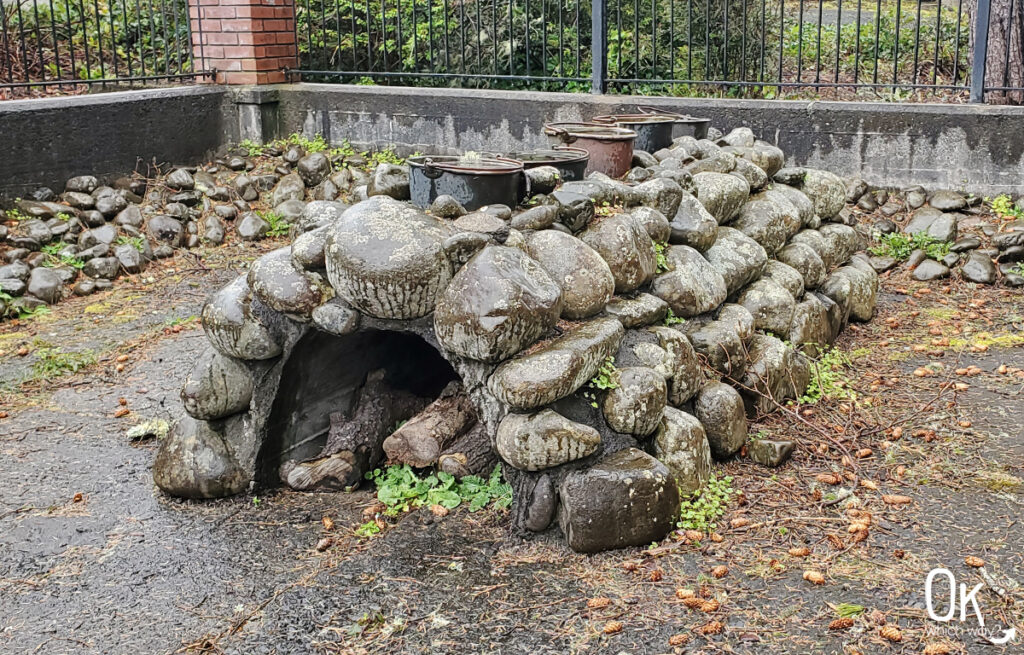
(708, 278)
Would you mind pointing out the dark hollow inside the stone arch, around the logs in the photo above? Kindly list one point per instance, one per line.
(324, 380)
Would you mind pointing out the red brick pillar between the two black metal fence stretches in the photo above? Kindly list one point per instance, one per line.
(245, 41)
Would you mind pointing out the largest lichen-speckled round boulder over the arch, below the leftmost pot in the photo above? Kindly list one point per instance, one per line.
(388, 259)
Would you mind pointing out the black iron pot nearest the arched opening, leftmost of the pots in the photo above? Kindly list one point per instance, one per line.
(475, 183)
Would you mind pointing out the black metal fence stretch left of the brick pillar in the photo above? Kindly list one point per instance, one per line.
(69, 46)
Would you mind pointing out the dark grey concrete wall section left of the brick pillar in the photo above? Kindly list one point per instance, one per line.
(46, 142)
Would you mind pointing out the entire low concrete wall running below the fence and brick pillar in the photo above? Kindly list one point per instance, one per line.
(979, 149)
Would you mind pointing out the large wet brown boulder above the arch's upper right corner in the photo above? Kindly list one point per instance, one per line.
(499, 303)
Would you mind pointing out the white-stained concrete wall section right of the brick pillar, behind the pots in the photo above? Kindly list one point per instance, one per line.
(975, 148)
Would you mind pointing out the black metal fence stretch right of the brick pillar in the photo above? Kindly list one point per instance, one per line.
(886, 50)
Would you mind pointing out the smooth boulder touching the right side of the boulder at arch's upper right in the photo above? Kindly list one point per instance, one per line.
(585, 278)
